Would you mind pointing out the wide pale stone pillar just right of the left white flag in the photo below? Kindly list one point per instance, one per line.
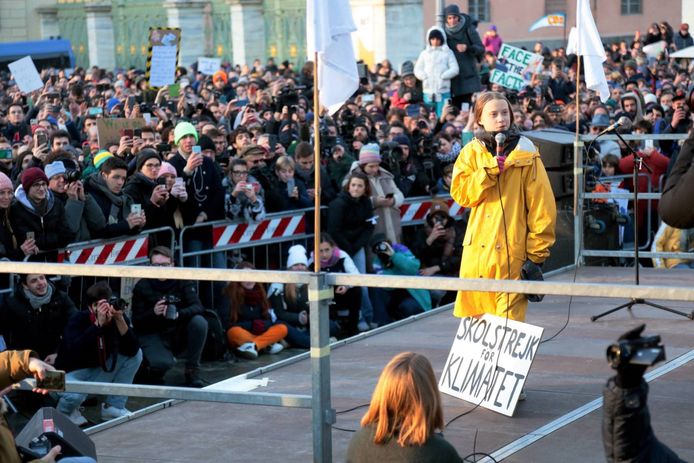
(389, 29)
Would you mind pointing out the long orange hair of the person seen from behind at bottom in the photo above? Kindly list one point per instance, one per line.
(405, 404)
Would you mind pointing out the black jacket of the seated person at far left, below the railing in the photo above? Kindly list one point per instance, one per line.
(37, 329)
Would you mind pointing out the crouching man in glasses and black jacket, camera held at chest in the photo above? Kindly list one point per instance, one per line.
(167, 315)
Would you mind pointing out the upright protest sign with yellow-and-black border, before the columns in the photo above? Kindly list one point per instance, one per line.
(162, 56)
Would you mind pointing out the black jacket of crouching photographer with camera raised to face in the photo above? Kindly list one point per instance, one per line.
(80, 346)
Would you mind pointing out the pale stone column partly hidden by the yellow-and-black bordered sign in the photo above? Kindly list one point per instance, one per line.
(188, 15)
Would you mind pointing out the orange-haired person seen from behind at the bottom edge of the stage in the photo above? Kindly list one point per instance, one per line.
(403, 417)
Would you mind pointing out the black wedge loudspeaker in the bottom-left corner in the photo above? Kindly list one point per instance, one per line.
(48, 428)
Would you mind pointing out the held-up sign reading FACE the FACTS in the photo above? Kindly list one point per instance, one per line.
(515, 68)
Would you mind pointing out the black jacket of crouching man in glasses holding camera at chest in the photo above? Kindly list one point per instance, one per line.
(148, 292)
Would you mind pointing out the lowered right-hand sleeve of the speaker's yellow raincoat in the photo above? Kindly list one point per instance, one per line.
(542, 213)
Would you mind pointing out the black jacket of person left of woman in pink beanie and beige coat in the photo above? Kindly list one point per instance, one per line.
(348, 222)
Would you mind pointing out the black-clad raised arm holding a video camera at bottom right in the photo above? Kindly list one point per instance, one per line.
(626, 425)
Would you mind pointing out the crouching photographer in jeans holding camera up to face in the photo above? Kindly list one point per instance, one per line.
(99, 346)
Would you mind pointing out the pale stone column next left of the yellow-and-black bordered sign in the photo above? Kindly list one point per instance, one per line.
(100, 35)
